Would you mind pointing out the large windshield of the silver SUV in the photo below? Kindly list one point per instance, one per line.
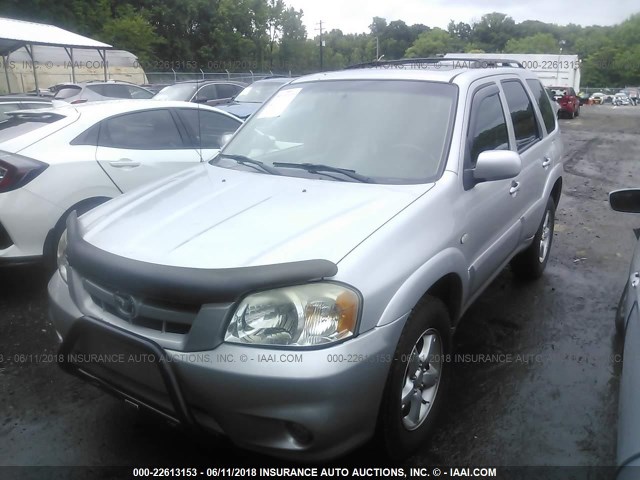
(392, 131)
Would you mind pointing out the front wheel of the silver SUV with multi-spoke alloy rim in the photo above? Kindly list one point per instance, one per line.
(418, 379)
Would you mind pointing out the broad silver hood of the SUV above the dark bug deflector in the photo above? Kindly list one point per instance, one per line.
(212, 217)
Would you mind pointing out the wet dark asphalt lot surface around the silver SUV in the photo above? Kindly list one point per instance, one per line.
(536, 365)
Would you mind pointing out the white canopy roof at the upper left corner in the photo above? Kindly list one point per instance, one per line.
(15, 34)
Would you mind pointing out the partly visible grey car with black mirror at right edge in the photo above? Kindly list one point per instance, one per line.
(628, 328)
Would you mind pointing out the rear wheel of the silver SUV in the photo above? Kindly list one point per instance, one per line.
(530, 263)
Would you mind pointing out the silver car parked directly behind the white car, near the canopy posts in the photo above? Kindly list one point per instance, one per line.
(95, 91)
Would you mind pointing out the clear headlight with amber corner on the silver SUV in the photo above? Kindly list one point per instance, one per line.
(300, 316)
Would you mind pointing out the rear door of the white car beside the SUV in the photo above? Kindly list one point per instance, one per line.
(140, 147)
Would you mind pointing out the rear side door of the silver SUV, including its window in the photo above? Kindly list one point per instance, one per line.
(533, 152)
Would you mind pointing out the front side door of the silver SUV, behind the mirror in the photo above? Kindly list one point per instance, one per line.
(492, 209)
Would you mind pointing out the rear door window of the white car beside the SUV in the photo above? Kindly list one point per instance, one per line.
(147, 130)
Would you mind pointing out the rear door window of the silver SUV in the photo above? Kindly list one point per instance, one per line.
(523, 117)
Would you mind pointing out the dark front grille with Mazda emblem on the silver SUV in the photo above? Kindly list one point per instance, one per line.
(162, 316)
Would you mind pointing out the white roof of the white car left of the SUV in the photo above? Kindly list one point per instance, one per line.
(113, 107)
